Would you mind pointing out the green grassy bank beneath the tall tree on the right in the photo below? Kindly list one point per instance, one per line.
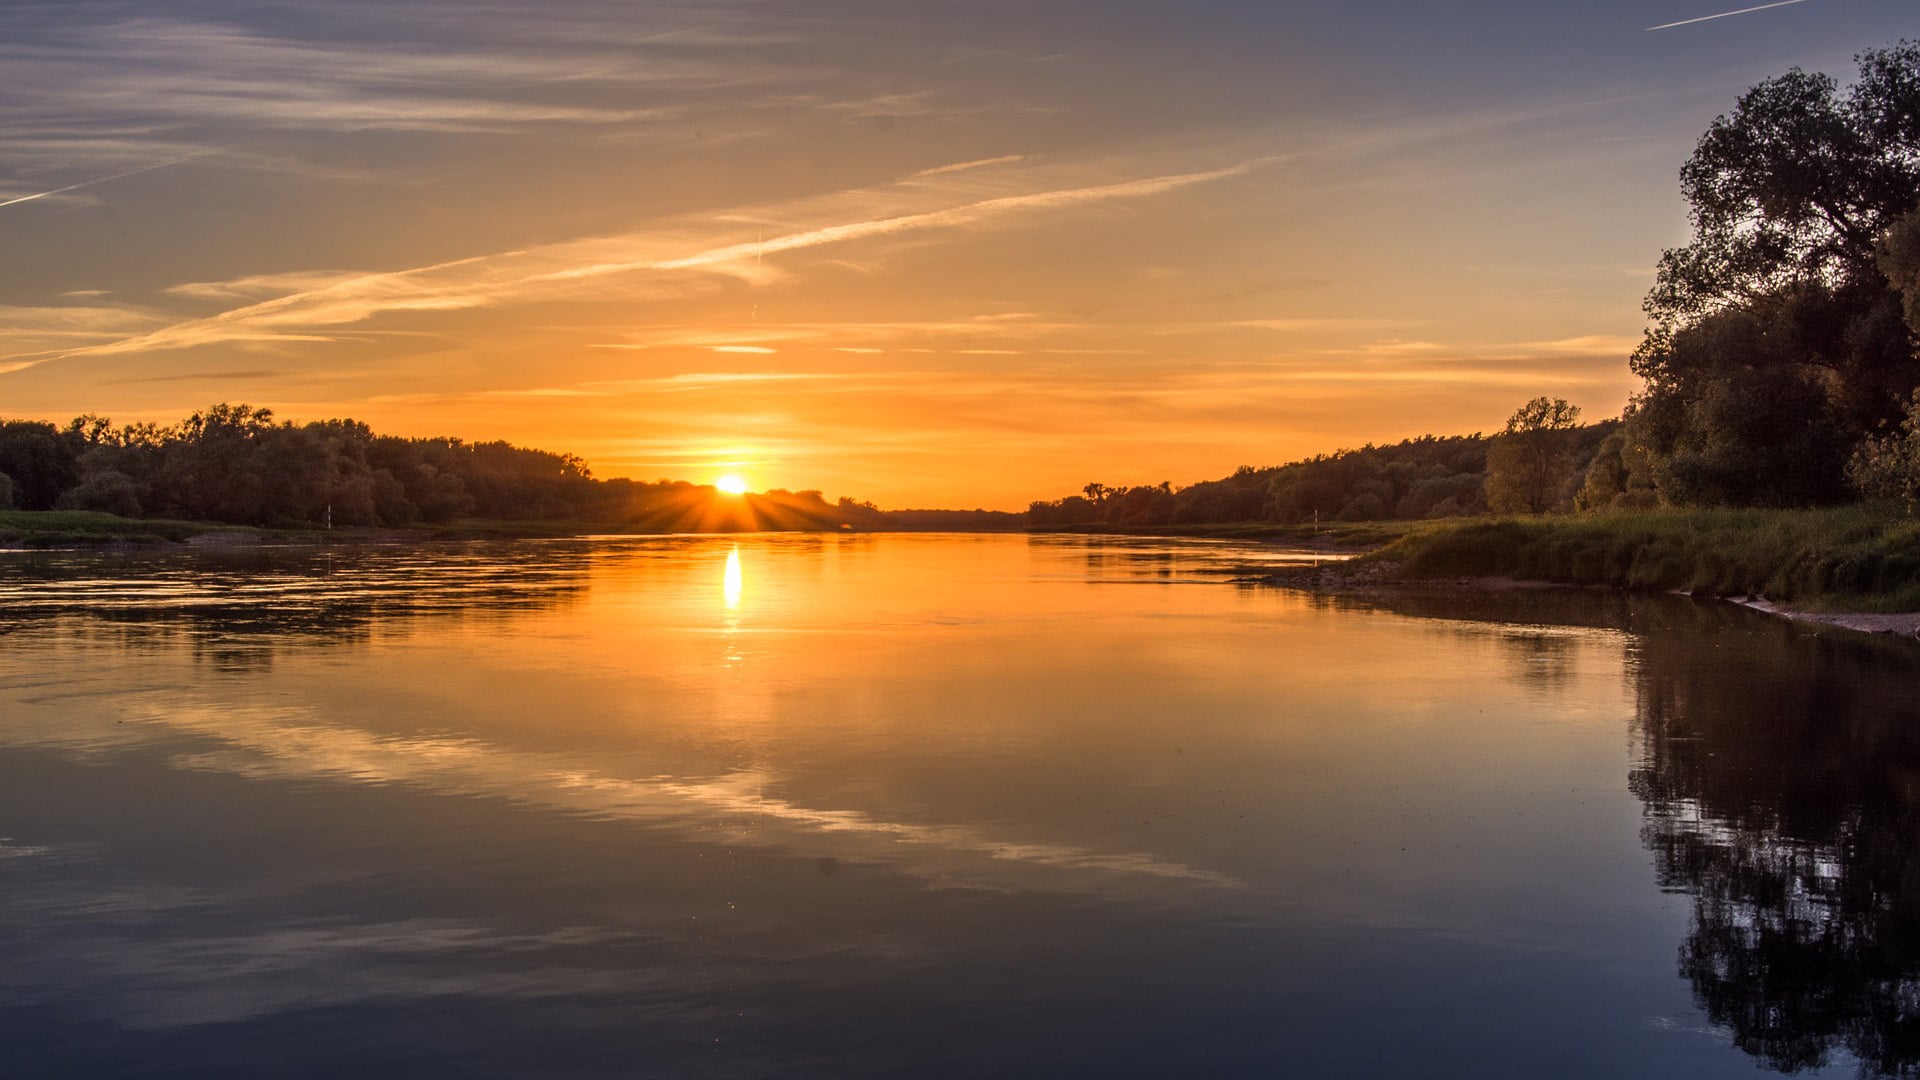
(1819, 560)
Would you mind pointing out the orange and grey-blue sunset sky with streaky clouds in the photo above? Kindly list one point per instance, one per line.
(961, 253)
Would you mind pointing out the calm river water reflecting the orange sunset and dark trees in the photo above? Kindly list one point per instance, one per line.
(934, 806)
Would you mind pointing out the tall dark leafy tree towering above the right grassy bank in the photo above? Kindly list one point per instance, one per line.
(1777, 339)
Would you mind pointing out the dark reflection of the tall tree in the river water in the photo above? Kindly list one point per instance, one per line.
(1781, 775)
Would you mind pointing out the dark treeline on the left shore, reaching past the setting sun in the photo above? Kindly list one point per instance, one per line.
(237, 464)
